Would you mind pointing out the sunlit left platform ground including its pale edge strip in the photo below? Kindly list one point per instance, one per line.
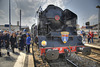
(17, 59)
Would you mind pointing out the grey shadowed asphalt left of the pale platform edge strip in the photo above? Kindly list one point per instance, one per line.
(8, 61)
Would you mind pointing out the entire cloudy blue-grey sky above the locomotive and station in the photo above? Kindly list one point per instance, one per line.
(85, 9)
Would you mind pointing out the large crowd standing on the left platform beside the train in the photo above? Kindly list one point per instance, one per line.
(14, 40)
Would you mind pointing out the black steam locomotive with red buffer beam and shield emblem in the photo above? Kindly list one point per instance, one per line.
(56, 33)
